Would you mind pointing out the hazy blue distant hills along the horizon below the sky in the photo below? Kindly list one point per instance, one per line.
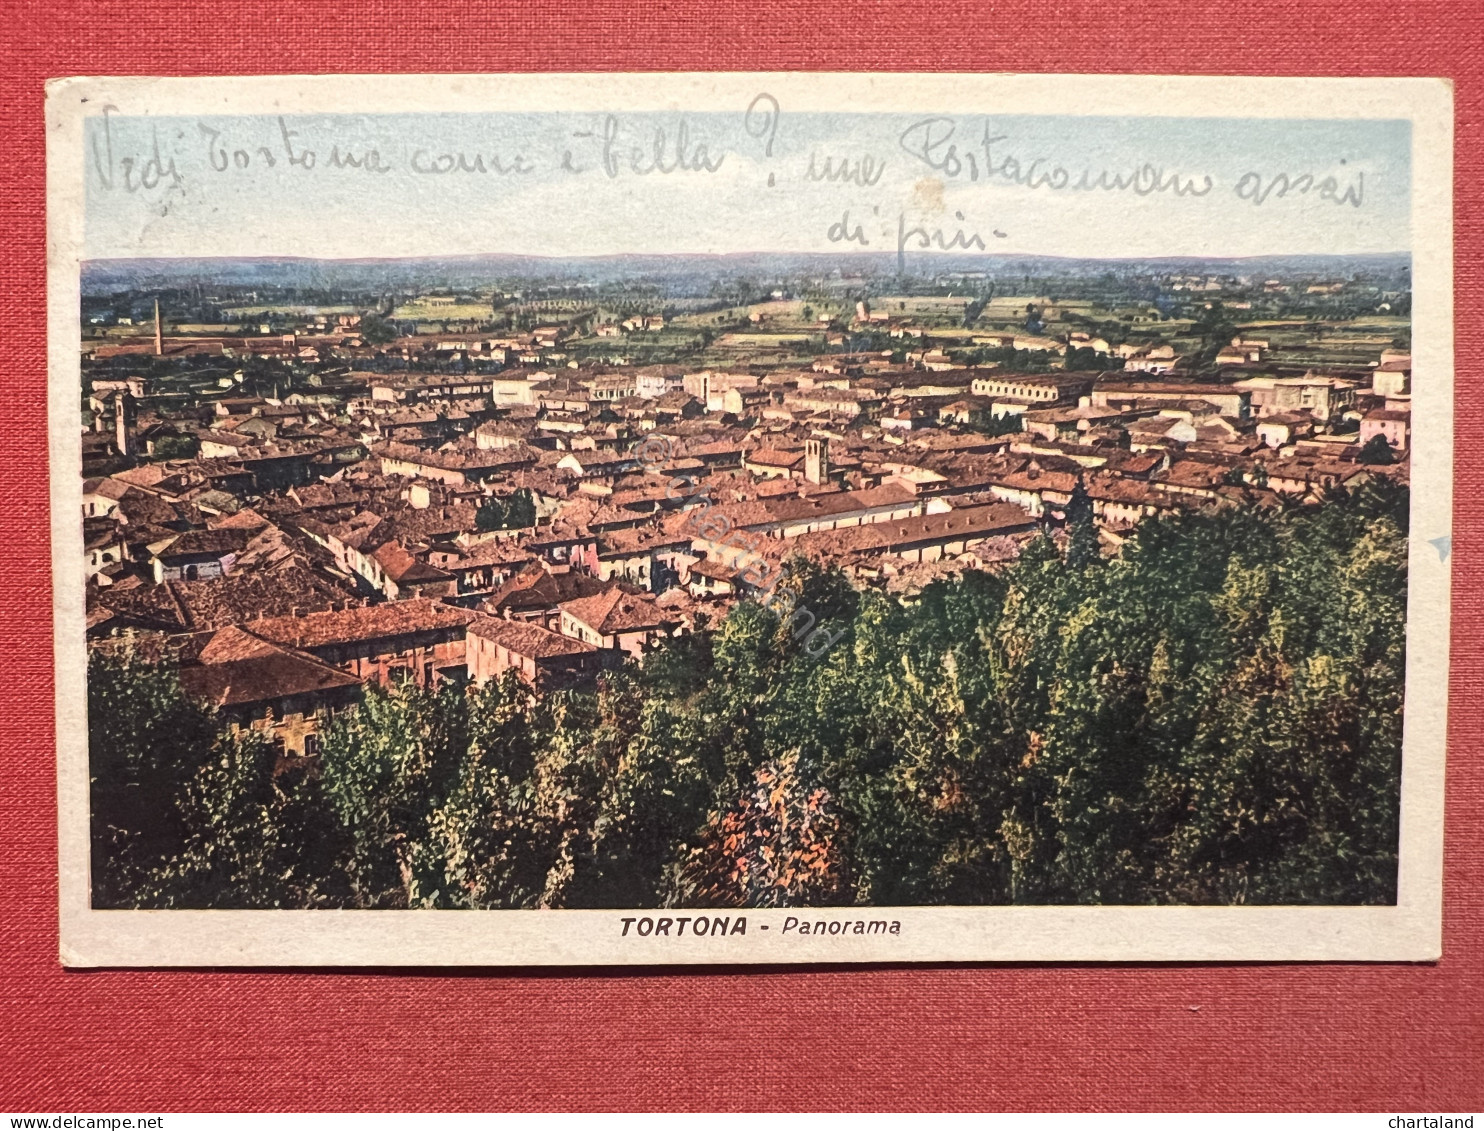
(680, 274)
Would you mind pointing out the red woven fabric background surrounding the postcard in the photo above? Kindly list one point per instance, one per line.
(985, 1037)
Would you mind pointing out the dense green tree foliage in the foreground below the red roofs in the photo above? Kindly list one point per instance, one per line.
(1212, 716)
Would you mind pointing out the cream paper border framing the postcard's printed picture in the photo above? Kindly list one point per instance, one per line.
(1408, 933)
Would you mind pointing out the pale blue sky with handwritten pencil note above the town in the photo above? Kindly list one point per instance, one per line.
(287, 209)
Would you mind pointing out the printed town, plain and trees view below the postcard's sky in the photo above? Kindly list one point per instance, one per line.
(746, 581)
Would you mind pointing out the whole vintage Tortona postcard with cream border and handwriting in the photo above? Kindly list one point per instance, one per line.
(750, 519)
